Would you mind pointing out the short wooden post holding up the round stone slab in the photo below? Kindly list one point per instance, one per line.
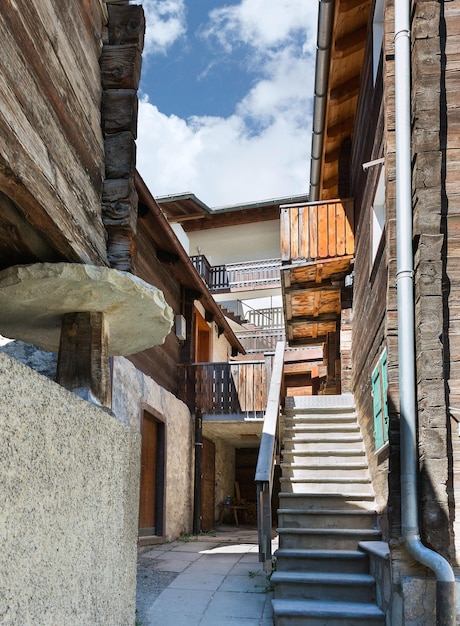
(83, 361)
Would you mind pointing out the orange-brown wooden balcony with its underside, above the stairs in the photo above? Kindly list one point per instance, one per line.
(317, 252)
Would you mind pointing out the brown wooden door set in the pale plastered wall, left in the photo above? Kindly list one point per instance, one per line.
(152, 477)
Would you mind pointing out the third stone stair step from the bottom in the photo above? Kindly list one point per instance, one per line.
(351, 561)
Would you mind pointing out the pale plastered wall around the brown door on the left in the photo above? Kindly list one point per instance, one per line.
(134, 392)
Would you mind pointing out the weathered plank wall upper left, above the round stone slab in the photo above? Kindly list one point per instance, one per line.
(51, 147)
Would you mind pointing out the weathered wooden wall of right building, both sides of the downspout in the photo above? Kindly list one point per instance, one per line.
(436, 197)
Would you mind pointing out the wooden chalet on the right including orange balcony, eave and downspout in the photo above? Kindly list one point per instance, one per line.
(357, 155)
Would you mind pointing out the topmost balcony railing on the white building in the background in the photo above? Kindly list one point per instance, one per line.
(238, 276)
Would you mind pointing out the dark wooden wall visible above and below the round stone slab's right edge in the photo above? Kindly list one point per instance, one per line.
(159, 362)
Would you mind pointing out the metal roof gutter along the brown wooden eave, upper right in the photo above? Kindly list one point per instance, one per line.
(323, 52)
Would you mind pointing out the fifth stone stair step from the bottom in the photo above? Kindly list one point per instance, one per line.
(326, 518)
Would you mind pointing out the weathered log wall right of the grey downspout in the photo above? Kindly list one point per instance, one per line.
(436, 178)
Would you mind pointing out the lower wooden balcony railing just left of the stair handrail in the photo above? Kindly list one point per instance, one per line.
(225, 388)
